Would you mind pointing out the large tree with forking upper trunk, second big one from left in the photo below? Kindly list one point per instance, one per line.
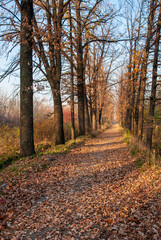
(48, 47)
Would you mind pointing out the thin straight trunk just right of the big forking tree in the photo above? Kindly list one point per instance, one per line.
(72, 79)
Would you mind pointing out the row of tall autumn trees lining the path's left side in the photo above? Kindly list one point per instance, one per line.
(64, 43)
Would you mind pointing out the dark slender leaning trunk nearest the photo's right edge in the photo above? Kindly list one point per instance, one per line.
(154, 83)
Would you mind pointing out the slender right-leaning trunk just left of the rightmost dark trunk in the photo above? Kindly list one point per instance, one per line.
(144, 69)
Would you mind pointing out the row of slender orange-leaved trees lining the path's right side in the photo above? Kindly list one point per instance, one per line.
(140, 84)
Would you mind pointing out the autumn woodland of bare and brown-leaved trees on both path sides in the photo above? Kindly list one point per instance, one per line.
(96, 70)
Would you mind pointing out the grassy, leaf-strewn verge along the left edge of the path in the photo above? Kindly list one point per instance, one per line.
(13, 165)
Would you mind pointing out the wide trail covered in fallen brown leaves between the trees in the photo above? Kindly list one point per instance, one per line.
(94, 192)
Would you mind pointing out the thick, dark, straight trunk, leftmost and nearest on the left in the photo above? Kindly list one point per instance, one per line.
(26, 86)
